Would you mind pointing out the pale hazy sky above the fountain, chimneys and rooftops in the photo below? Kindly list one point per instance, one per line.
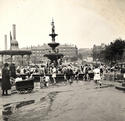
(79, 22)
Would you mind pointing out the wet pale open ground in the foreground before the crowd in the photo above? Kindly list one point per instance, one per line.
(82, 101)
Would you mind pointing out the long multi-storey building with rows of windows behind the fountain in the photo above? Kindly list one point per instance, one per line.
(70, 52)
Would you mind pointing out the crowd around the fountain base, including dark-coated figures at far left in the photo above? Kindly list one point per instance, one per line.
(48, 74)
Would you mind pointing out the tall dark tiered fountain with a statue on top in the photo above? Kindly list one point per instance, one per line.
(54, 54)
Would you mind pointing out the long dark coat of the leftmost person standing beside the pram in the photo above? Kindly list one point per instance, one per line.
(5, 79)
